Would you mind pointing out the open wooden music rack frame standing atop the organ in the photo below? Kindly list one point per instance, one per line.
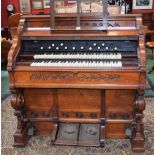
(78, 16)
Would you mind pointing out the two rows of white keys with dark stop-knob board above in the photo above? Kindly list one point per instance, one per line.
(86, 54)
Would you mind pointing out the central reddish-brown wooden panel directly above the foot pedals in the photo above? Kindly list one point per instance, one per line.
(75, 101)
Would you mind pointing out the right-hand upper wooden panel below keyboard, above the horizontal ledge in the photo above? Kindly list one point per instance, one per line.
(119, 103)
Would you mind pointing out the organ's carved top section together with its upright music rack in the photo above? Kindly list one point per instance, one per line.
(79, 19)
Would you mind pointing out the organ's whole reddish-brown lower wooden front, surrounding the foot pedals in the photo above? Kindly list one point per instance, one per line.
(80, 106)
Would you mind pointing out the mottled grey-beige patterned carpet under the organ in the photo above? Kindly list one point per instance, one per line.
(42, 145)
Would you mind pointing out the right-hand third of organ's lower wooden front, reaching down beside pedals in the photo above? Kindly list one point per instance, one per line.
(119, 112)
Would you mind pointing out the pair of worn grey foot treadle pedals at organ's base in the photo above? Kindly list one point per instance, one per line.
(84, 134)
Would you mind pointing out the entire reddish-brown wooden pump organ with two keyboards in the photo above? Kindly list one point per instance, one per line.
(78, 78)
